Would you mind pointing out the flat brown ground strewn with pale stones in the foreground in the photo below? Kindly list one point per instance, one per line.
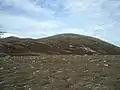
(60, 72)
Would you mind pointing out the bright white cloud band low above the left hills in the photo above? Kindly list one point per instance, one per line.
(27, 26)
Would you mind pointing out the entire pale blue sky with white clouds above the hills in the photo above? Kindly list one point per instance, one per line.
(41, 18)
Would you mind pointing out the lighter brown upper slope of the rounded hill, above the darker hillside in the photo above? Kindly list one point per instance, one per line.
(80, 40)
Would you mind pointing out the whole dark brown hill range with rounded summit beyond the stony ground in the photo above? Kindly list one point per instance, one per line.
(74, 44)
